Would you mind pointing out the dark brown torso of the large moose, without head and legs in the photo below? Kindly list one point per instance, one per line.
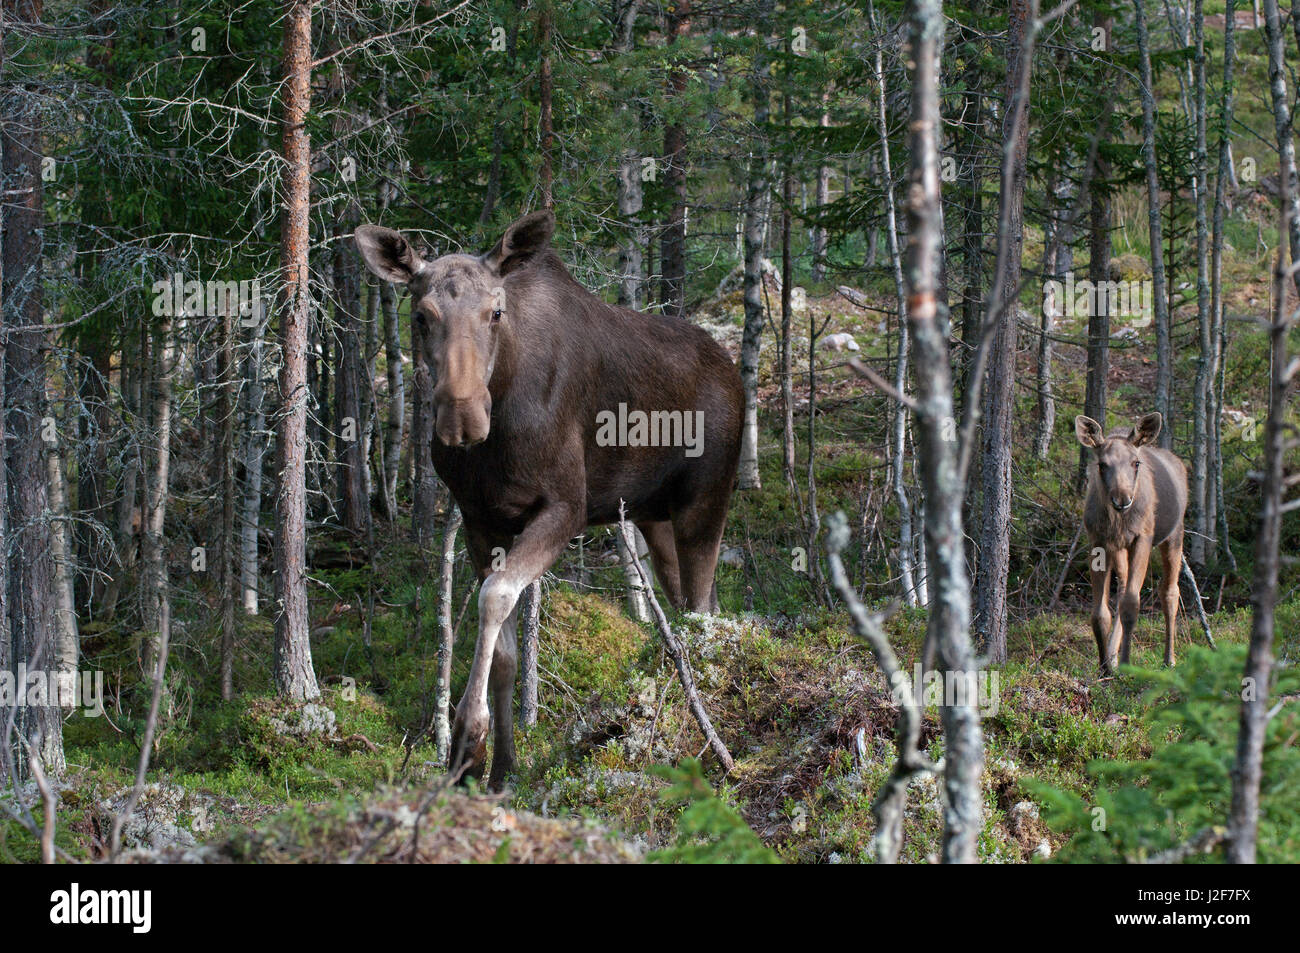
(577, 359)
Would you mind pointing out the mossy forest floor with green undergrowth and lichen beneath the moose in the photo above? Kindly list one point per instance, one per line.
(796, 698)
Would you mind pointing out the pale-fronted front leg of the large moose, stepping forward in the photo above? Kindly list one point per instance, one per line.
(532, 555)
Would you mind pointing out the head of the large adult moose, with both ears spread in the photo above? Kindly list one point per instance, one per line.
(460, 306)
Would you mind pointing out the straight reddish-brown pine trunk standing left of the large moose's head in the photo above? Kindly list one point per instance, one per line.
(294, 675)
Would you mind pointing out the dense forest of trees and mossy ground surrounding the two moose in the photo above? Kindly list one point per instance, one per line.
(216, 423)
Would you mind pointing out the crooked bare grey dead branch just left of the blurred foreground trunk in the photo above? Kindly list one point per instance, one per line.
(892, 798)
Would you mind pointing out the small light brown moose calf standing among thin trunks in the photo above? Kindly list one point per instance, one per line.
(1137, 500)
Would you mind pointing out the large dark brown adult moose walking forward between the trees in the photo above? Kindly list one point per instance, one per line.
(527, 365)
